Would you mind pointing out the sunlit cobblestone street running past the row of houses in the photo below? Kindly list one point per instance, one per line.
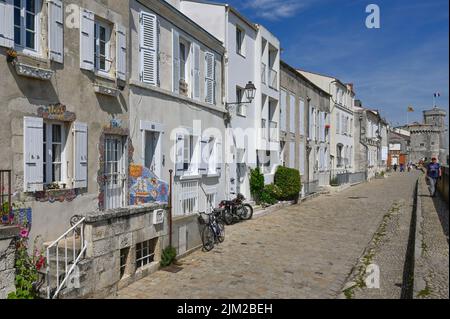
(303, 251)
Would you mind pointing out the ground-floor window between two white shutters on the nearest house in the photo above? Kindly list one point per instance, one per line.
(53, 151)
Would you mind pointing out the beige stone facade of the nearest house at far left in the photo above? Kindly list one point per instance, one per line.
(60, 102)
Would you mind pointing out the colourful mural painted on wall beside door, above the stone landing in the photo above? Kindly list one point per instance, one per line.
(145, 187)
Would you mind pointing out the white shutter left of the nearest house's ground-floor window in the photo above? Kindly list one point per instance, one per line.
(33, 154)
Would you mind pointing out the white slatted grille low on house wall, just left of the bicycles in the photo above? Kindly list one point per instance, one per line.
(187, 198)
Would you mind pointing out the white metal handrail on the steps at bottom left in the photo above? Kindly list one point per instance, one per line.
(76, 232)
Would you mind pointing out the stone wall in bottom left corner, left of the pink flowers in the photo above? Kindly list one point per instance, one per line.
(7, 259)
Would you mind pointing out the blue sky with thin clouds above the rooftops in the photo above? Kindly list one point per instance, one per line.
(403, 63)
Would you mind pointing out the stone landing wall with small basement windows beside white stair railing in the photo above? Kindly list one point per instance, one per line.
(107, 234)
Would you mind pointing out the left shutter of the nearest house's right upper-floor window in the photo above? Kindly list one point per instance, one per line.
(87, 49)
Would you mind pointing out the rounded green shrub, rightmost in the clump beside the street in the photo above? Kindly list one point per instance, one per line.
(289, 182)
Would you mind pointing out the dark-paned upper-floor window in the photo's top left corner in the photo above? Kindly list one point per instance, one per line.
(26, 24)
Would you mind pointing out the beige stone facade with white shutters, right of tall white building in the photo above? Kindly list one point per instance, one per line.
(299, 126)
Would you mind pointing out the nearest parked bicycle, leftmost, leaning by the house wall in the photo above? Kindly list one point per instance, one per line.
(214, 230)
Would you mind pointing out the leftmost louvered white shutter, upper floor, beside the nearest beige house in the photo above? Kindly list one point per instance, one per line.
(149, 48)
